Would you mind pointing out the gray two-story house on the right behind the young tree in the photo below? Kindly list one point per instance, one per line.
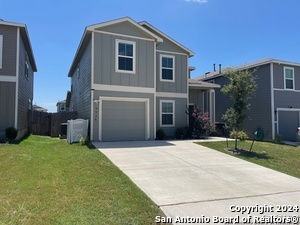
(276, 106)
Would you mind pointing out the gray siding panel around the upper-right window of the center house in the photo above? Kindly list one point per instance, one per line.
(181, 76)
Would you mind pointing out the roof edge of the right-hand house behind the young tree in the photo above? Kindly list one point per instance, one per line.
(246, 66)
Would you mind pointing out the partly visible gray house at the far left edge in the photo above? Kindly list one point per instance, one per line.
(17, 66)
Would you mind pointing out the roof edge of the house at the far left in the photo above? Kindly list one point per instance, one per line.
(25, 37)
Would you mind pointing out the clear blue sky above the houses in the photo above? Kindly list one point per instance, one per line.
(227, 32)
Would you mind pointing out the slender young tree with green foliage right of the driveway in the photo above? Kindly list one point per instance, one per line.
(241, 88)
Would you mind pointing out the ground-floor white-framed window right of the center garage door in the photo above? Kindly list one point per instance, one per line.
(167, 109)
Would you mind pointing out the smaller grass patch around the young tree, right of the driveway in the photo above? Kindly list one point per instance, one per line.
(278, 157)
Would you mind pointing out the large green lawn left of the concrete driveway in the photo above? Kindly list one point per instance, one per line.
(47, 181)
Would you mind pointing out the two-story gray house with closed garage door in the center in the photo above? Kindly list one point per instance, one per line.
(129, 80)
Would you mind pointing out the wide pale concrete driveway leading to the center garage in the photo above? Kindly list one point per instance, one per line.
(191, 183)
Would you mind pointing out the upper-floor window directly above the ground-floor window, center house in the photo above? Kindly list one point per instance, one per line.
(167, 68)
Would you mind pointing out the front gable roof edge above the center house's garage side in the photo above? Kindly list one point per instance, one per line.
(89, 29)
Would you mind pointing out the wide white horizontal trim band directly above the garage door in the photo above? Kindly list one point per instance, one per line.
(119, 88)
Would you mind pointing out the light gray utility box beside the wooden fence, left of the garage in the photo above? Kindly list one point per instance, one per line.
(76, 130)
